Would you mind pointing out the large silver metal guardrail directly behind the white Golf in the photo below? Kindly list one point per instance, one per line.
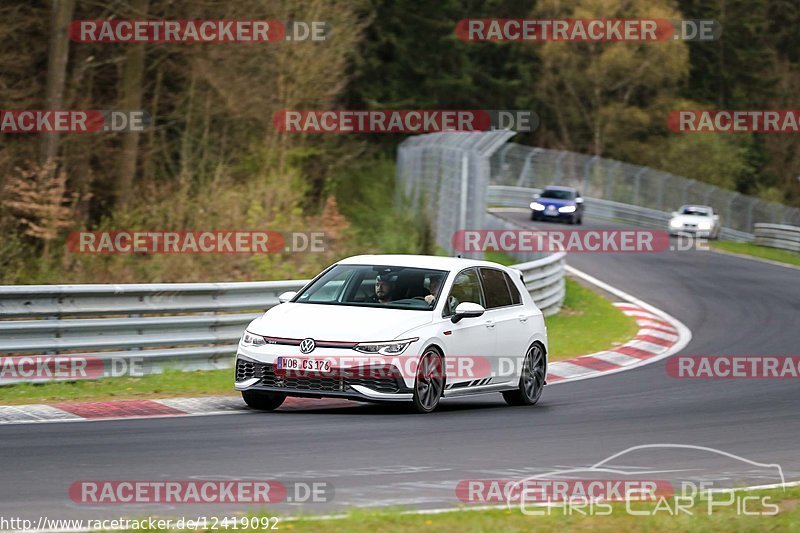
(186, 326)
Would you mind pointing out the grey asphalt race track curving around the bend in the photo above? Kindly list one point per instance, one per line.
(376, 455)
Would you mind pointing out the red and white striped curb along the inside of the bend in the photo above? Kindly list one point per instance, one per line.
(660, 335)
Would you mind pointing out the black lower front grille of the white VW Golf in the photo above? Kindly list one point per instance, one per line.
(246, 369)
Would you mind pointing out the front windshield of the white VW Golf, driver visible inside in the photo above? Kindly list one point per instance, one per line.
(383, 286)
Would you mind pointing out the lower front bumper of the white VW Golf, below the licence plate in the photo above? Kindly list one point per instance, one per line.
(256, 375)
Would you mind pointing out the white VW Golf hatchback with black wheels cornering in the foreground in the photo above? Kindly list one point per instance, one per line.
(399, 328)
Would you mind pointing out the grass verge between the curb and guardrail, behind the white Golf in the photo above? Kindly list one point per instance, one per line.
(587, 323)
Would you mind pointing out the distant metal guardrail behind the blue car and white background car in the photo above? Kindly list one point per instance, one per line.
(507, 196)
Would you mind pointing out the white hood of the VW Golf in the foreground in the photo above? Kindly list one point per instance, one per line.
(337, 322)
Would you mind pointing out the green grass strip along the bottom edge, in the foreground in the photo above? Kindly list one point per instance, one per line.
(720, 519)
